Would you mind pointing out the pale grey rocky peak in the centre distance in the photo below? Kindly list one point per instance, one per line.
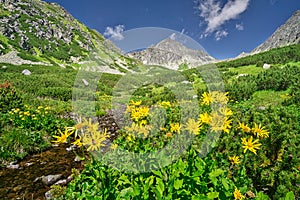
(171, 54)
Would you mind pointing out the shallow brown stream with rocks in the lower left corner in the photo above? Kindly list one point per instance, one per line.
(19, 183)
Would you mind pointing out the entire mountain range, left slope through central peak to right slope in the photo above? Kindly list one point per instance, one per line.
(37, 32)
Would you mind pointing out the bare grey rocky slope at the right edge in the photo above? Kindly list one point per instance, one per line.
(287, 34)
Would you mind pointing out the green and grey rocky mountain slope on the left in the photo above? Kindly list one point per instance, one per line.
(45, 32)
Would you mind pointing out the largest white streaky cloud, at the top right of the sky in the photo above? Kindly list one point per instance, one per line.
(215, 15)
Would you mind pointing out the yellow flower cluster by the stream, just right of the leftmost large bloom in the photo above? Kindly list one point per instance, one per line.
(94, 140)
